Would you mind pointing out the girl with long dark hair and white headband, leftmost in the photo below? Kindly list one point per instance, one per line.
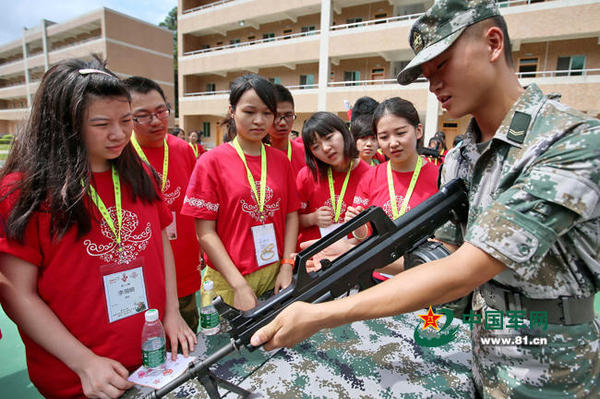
(83, 222)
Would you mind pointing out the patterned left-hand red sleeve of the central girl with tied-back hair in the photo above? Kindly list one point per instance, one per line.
(202, 195)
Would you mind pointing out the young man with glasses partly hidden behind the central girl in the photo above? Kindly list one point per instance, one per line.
(279, 132)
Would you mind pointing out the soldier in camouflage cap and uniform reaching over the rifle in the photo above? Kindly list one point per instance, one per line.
(530, 245)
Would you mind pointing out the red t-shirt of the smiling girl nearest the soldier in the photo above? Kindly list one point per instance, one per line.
(373, 188)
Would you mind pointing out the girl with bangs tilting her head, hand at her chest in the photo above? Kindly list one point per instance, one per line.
(327, 183)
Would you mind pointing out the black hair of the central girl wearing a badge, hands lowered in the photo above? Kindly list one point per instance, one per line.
(264, 89)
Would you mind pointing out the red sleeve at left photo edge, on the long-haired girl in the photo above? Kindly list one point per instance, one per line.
(30, 250)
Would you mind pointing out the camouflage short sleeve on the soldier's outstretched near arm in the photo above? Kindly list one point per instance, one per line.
(560, 189)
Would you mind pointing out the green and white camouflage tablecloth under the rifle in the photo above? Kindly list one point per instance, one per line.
(368, 359)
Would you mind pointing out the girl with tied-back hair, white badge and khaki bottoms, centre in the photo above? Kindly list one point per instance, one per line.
(243, 197)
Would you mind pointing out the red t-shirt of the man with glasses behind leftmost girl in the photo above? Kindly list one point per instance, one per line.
(186, 247)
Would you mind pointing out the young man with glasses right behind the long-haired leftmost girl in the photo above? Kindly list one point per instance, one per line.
(174, 161)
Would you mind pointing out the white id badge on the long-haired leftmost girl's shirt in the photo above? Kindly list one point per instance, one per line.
(125, 289)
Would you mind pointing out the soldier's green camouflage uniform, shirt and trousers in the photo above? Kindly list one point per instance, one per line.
(534, 196)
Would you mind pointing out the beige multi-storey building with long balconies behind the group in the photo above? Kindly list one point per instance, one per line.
(360, 46)
